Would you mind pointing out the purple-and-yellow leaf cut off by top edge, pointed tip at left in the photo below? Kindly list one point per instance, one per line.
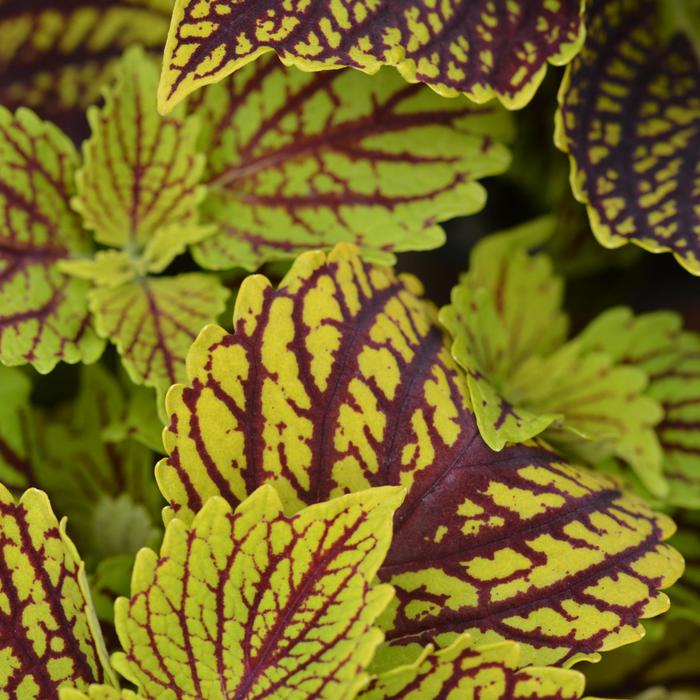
(477, 47)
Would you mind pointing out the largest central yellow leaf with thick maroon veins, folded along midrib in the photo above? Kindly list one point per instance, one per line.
(340, 380)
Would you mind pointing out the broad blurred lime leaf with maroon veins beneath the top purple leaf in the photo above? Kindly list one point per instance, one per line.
(298, 161)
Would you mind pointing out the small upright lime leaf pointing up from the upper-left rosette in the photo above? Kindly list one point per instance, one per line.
(141, 172)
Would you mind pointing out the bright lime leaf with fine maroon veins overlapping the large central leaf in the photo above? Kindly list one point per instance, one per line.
(254, 604)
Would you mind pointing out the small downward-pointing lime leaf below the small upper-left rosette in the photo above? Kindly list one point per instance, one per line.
(152, 322)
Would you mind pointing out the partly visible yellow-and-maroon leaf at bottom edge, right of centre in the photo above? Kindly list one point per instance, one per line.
(464, 670)
